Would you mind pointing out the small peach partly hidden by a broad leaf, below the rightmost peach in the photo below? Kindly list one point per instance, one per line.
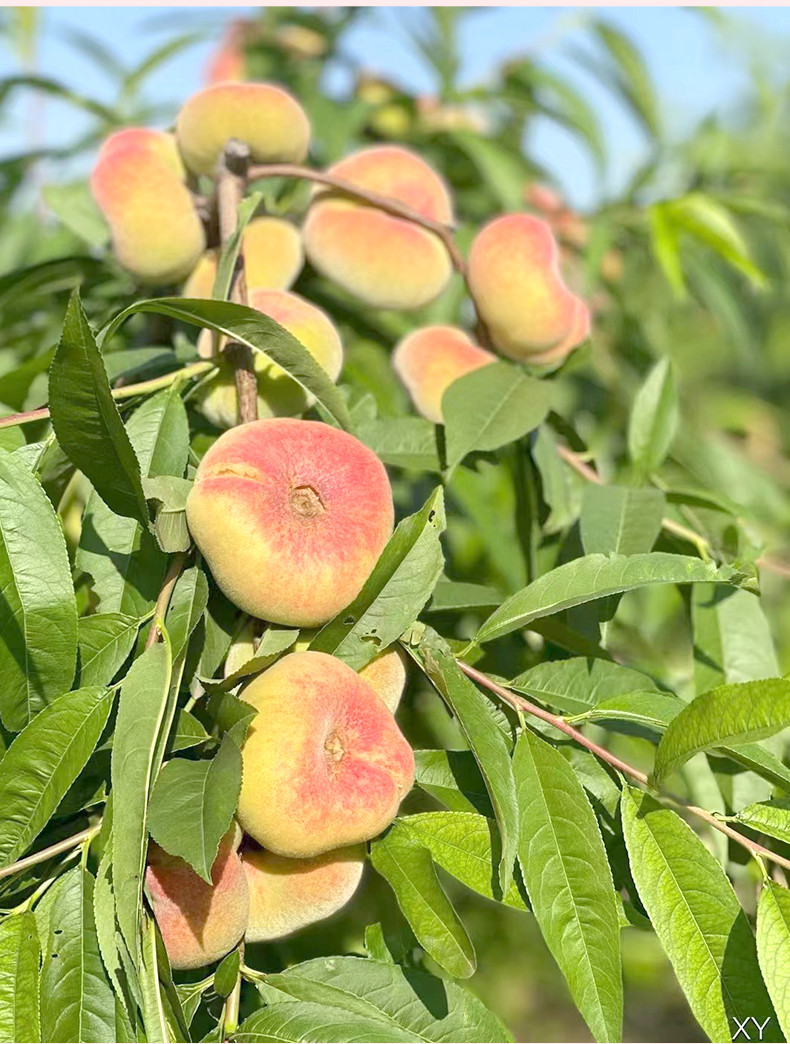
(430, 360)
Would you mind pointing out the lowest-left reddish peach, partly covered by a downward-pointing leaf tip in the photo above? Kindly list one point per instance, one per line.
(200, 922)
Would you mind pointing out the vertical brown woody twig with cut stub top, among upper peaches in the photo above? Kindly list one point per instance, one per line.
(232, 180)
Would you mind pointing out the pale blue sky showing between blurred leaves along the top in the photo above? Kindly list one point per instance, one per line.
(699, 66)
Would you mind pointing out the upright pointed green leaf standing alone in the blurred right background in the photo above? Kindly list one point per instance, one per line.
(654, 419)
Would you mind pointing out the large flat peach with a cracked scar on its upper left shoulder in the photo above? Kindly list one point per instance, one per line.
(291, 517)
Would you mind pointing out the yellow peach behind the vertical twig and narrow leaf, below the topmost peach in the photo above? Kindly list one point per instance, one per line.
(273, 259)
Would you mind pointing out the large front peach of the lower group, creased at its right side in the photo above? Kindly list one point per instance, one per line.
(325, 763)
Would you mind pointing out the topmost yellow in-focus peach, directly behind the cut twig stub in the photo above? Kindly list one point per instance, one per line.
(266, 117)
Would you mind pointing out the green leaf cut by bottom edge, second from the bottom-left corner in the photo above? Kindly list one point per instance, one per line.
(77, 1000)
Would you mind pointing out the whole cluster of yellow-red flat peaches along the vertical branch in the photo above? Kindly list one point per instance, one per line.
(292, 515)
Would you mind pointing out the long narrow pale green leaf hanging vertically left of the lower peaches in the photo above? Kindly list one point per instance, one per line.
(141, 716)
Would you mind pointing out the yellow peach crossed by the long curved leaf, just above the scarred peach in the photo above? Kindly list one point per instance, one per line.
(279, 395)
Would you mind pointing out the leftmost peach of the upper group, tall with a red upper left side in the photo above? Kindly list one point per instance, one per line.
(155, 228)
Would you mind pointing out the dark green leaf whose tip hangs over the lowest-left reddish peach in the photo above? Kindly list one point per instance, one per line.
(193, 806)
